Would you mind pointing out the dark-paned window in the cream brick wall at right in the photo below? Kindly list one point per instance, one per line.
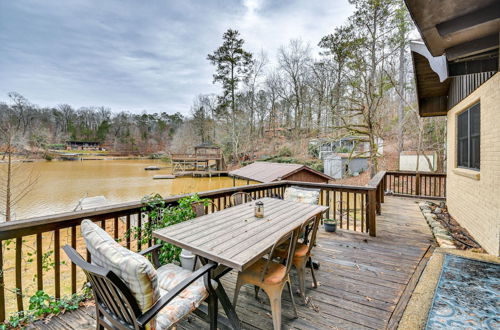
(468, 138)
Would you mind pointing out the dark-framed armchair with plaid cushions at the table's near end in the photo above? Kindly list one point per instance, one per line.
(130, 293)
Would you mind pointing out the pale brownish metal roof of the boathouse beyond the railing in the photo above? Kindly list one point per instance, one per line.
(268, 172)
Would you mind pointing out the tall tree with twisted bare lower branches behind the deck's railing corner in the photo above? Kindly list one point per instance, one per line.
(367, 81)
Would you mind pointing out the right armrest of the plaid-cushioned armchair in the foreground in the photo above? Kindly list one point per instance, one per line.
(163, 301)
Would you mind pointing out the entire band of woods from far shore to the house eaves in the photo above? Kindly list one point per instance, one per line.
(358, 83)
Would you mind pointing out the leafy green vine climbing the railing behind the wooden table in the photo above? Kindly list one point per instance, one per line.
(158, 214)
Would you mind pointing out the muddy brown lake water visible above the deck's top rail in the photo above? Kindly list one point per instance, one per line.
(61, 184)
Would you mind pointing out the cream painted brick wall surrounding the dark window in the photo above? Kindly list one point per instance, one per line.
(473, 197)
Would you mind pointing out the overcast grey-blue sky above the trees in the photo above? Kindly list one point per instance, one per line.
(141, 55)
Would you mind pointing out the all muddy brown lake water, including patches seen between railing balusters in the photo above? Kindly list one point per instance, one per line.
(61, 184)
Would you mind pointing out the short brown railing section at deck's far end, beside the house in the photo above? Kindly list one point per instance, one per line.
(424, 184)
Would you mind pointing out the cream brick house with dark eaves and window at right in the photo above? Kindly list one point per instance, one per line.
(456, 73)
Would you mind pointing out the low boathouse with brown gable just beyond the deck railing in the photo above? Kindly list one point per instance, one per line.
(268, 172)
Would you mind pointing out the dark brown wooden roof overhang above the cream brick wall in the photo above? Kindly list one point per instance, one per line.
(459, 38)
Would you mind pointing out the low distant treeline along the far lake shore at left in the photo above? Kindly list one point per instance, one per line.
(42, 127)
